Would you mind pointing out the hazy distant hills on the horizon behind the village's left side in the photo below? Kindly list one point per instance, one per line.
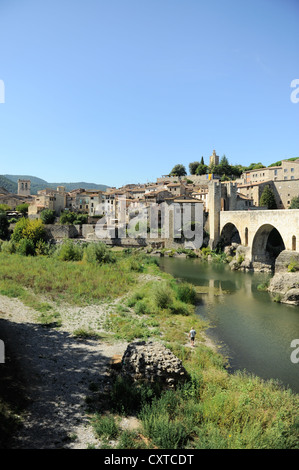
(37, 184)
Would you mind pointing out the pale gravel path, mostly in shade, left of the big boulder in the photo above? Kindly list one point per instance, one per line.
(57, 369)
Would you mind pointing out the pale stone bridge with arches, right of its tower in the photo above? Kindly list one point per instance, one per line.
(265, 233)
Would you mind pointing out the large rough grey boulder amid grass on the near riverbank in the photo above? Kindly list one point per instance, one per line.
(149, 361)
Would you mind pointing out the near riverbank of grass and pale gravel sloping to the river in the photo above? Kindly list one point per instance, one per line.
(71, 339)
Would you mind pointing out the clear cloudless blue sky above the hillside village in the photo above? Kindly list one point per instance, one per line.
(119, 91)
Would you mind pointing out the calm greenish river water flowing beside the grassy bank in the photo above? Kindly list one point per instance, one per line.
(254, 332)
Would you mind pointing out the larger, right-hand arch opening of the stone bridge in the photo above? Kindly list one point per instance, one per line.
(267, 244)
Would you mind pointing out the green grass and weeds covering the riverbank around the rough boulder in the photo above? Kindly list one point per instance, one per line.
(214, 409)
